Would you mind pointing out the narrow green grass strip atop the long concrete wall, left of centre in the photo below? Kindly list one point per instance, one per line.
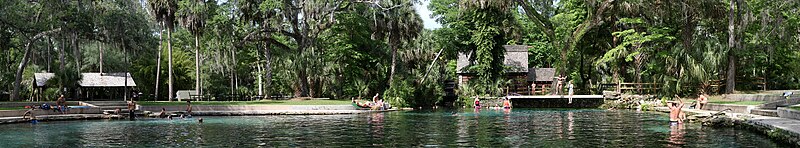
(265, 102)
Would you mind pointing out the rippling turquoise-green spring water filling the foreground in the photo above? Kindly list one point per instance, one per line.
(485, 128)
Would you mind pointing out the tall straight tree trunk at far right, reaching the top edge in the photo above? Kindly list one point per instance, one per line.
(730, 83)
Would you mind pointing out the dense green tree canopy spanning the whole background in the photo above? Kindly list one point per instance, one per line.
(356, 48)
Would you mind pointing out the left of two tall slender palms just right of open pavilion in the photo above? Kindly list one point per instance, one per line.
(164, 10)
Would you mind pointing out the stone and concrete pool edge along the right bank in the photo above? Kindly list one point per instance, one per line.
(776, 128)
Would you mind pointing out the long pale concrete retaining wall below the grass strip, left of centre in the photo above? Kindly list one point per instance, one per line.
(248, 107)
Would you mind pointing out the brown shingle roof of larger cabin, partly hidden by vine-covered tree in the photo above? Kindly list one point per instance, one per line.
(516, 59)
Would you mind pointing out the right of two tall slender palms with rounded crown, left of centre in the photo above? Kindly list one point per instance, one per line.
(193, 17)
